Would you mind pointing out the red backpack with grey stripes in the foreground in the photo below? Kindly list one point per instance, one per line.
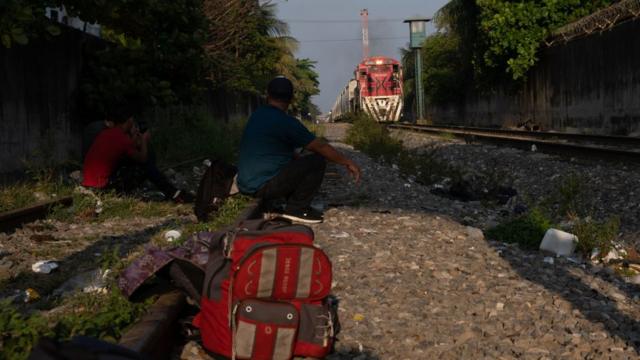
(266, 295)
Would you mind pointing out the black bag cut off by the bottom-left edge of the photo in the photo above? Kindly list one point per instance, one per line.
(81, 348)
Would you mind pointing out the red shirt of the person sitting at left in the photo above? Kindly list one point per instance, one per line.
(109, 147)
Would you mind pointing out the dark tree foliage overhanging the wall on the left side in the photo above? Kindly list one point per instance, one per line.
(166, 52)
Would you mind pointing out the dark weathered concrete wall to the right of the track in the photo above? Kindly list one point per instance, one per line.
(591, 84)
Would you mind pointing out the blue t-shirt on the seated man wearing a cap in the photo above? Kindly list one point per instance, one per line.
(267, 146)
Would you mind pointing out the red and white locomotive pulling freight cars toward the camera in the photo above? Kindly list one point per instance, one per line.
(376, 90)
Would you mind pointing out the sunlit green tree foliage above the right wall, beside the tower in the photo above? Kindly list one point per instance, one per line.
(481, 44)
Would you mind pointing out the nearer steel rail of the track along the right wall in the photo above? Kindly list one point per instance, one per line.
(525, 143)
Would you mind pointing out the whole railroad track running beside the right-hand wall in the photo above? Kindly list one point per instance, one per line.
(616, 148)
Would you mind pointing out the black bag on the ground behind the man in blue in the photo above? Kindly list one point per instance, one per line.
(214, 188)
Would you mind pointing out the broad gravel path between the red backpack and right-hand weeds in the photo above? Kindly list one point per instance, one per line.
(415, 283)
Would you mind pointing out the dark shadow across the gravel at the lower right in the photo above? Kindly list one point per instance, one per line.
(593, 304)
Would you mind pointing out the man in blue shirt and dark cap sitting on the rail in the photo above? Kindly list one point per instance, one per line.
(268, 167)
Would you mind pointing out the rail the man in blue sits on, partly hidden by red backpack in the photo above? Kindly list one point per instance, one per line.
(156, 333)
